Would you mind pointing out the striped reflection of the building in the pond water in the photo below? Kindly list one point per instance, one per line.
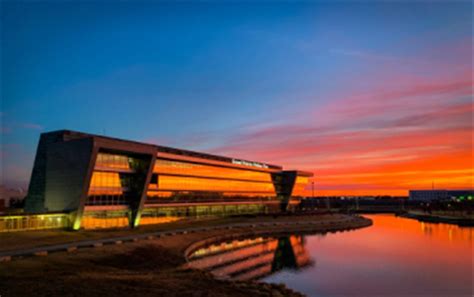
(252, 259)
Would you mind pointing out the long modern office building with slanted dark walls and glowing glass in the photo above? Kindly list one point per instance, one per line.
(103, 182)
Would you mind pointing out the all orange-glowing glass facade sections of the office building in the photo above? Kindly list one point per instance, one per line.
(181, 187)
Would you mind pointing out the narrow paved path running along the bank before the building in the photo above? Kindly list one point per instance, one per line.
(44, 250)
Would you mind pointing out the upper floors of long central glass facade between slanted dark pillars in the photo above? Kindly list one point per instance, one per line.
(187, 181)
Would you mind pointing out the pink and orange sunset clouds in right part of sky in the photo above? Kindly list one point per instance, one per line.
(403, 123)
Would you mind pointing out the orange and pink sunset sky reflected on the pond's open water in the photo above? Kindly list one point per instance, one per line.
(394, 257)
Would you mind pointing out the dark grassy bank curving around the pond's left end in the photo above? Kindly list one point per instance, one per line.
(131, 267)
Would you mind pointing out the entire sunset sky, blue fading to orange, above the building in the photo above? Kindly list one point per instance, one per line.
(373, 97)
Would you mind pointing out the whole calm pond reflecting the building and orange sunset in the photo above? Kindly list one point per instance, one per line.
(394, 257)
